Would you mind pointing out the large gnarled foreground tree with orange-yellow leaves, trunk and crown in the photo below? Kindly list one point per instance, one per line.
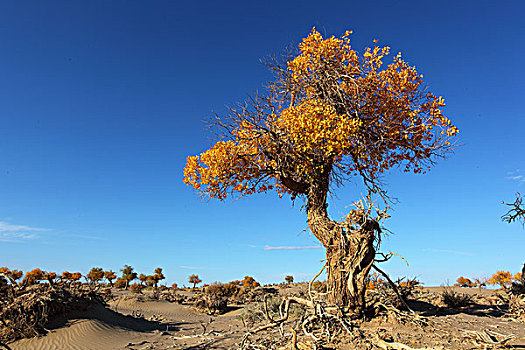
(330, 115)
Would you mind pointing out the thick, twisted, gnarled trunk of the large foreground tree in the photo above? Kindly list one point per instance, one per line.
(349, 247)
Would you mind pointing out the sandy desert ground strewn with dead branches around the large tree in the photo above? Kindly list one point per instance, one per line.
(145, 321)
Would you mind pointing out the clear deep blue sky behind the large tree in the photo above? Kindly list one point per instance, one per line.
(101, 102)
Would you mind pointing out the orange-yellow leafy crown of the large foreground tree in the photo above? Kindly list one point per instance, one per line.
(334, 111)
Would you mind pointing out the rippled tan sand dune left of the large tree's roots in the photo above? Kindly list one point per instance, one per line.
(162, 325)
